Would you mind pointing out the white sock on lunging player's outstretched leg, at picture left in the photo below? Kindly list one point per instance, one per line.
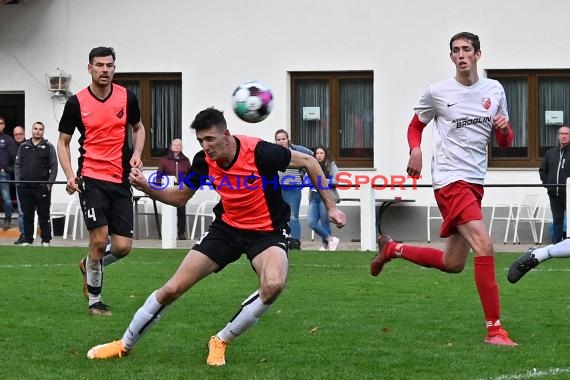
(145, 317)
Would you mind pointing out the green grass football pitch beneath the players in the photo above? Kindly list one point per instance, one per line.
(333, 321)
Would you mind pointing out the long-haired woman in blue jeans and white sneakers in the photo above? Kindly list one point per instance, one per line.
(317, 215)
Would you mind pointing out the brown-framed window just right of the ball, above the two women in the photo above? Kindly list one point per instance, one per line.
(335, 109)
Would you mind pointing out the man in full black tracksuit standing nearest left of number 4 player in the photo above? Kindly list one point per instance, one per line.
(36, 161)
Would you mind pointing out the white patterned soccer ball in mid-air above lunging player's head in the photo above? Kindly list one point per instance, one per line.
(252, 101)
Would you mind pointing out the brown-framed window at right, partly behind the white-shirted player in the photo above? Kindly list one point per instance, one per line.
(539, 103)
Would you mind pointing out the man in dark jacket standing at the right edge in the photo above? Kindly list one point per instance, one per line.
(555, 170)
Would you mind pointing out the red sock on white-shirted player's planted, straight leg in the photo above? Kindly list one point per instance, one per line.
(488, 291)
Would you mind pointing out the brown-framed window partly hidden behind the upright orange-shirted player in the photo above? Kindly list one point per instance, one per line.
(160, 100)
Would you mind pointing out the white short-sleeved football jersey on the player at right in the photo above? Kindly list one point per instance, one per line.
(462, 126)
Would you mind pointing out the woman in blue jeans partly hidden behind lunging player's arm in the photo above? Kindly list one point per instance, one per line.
(291, 189)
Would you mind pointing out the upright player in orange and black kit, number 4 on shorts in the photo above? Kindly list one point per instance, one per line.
(103, 113)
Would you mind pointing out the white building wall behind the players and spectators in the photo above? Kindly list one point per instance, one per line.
(216, 44)
